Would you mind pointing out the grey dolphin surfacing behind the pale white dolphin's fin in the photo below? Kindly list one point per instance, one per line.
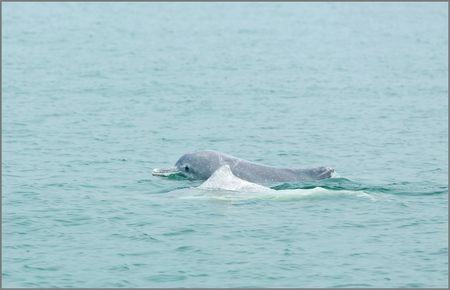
(202, 164)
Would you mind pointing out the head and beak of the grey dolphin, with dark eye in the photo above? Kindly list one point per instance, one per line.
(196, 165)
